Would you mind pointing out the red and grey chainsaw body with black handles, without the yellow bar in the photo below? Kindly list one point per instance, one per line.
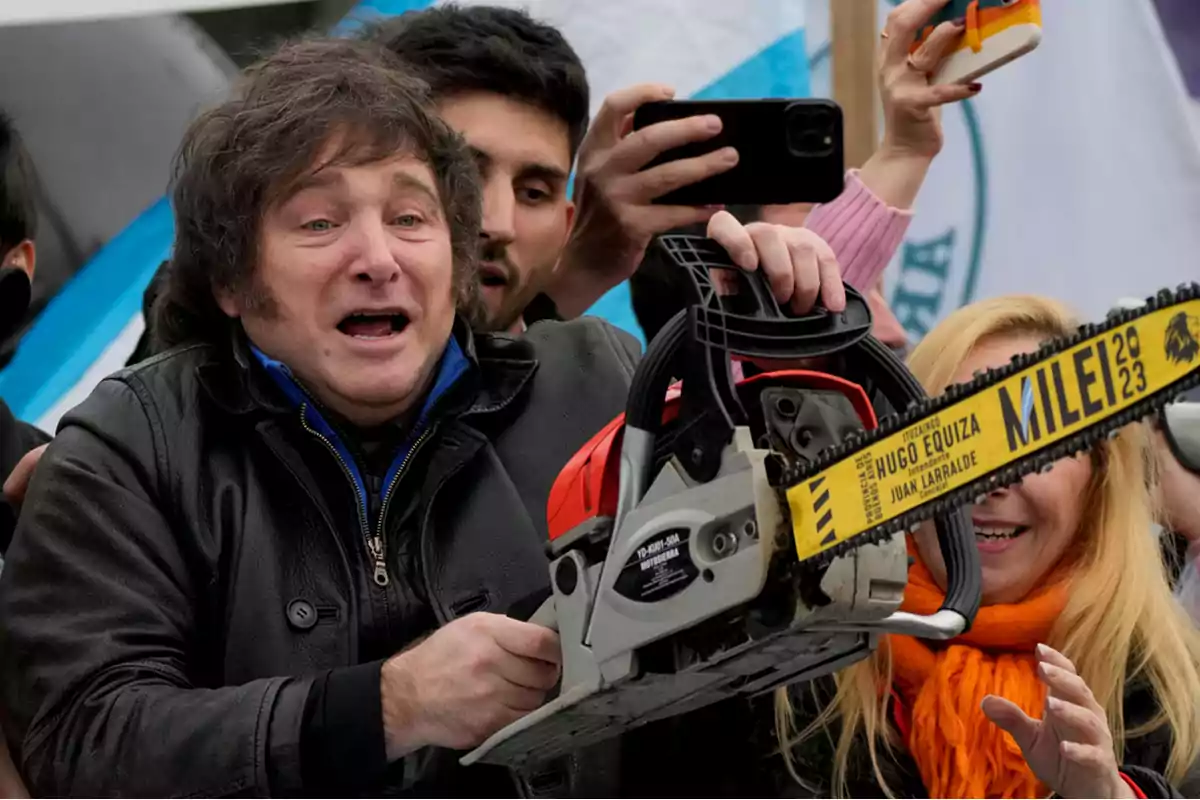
(675, 584)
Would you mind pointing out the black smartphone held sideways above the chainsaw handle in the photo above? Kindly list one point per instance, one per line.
(789, 151)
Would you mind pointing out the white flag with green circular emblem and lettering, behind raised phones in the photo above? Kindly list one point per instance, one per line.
(1075, 175)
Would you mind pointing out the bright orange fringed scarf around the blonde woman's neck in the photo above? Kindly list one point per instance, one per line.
(961, 754)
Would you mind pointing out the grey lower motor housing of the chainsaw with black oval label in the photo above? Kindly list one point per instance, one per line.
(676, 613)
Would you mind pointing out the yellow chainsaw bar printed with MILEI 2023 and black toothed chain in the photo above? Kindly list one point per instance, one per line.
(998, 429)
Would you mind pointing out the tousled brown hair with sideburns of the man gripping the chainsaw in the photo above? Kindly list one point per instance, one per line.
(245, 155)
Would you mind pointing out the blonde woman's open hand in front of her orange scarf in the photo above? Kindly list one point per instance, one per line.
(1071, 748)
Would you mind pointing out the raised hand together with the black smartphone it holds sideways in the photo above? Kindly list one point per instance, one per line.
(649, 166)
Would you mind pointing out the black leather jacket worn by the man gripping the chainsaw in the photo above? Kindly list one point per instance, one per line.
(190, 562)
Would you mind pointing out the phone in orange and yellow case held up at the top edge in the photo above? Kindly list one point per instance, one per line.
(998, 32)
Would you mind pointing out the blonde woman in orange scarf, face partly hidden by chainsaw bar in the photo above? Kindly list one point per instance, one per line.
(1082, 673)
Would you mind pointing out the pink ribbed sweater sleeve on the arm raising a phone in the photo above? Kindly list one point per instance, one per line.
(863, 232)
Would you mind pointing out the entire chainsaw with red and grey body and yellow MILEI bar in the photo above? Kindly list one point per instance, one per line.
(725, 538)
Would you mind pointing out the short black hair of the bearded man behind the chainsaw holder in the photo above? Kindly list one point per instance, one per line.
(488, 49)
